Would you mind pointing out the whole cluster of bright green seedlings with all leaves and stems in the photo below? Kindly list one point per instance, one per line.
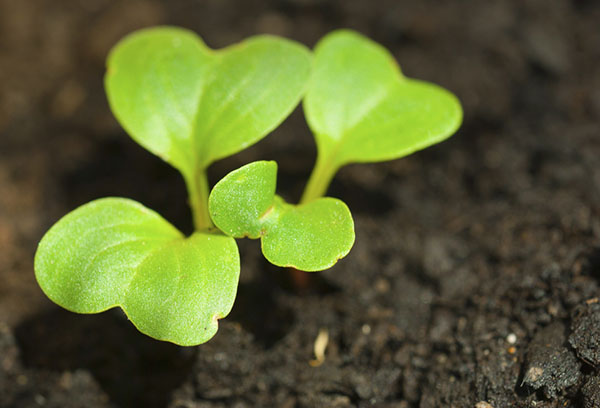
(191, 105)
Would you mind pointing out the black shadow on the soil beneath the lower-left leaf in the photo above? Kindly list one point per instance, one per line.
(112, 350)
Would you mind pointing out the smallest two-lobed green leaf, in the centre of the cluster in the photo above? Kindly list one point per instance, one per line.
(309, 237)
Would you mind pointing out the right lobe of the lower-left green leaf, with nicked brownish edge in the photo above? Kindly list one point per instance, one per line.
(182, 289)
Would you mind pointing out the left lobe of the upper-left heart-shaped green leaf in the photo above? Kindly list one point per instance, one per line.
(154, 81)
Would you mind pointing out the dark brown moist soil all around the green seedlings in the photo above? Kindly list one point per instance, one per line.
(474, 280)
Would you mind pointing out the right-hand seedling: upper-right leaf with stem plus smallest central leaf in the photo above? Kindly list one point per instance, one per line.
(361, 109)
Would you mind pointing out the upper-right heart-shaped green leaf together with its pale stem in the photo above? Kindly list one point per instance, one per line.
(362, 109)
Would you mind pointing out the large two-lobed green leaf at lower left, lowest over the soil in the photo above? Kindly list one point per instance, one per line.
(116, 252)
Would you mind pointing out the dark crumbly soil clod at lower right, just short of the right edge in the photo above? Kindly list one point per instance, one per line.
(551, 366)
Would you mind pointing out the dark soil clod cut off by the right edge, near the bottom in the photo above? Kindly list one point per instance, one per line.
(585, 336)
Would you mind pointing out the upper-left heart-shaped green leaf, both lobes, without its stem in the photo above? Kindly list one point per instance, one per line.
(191, 105)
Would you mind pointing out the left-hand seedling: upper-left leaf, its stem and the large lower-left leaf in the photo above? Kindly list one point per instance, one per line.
(189, 105)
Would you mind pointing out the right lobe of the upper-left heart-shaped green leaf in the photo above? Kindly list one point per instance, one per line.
(256, 85)
